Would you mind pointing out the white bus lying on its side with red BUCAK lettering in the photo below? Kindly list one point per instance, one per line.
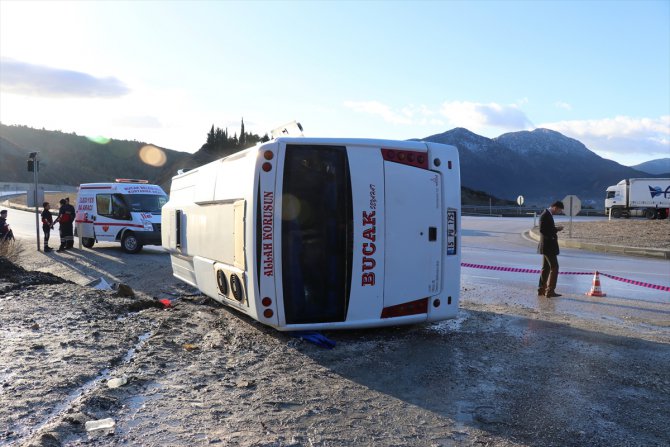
(306, 233)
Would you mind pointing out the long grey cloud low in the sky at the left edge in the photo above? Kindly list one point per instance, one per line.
(27, 79)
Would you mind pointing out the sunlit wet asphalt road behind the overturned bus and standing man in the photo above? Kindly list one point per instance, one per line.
(499, 242)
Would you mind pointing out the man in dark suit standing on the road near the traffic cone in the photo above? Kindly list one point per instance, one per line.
(548, 248)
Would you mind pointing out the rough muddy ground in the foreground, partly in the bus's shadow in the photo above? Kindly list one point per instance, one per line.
(200, 374)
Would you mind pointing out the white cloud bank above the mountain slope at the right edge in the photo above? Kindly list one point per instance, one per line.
(622, 135)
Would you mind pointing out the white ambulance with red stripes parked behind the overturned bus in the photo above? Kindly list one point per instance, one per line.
(127, 211)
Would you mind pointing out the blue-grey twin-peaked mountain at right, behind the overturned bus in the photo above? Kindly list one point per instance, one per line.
(542, 165)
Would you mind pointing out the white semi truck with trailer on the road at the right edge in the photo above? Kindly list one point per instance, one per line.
(648, 197)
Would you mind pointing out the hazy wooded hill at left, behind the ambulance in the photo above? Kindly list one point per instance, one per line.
(70, 159)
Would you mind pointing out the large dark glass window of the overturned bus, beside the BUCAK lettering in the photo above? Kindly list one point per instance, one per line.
(317, 234)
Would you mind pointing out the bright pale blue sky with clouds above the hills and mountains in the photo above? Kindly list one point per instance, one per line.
(165, 72)
